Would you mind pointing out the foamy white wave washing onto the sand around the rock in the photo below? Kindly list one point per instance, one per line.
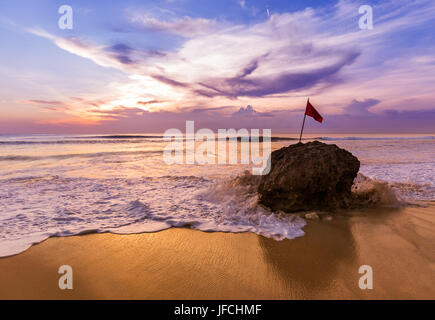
(37, 207)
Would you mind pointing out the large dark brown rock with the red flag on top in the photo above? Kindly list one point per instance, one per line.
(310, 176)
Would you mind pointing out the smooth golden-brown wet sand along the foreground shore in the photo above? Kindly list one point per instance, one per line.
(399, 244)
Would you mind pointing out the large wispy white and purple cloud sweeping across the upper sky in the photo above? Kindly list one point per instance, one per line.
(219, 64)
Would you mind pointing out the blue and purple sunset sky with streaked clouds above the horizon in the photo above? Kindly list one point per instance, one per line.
(148, 66)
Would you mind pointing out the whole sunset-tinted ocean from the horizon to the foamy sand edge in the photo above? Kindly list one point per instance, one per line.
(63, 185)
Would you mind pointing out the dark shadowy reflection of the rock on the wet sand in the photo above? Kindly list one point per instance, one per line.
(310, 264)
